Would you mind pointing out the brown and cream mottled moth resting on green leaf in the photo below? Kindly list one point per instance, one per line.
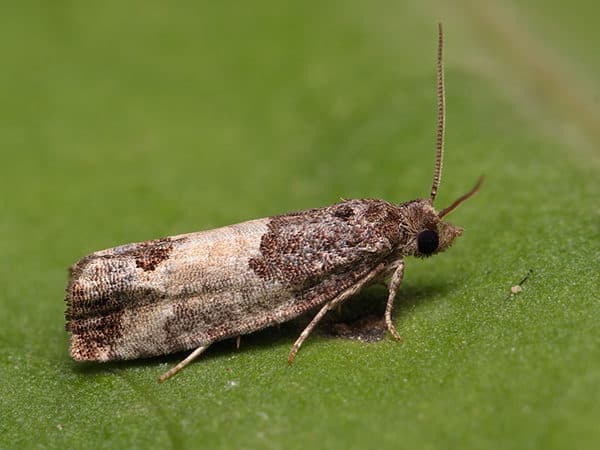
(188, 291)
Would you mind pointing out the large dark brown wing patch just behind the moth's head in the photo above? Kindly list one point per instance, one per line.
(303, 249)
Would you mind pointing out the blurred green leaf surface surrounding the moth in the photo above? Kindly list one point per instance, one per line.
(125, 121)
